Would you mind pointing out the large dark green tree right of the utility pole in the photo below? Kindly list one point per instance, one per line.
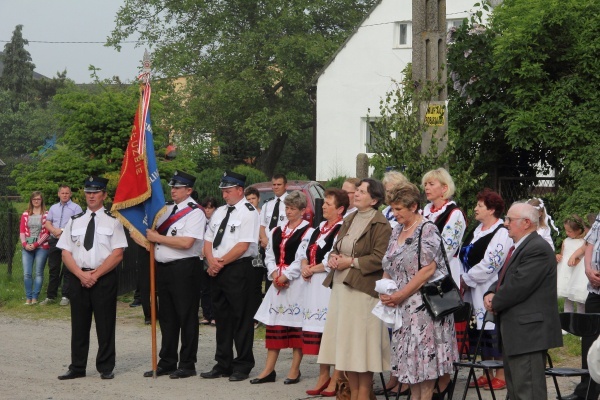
(527, 94)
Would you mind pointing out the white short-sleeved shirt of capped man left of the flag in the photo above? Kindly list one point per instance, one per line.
(108, 236)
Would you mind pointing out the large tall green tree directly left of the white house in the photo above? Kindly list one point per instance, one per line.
(248, 64)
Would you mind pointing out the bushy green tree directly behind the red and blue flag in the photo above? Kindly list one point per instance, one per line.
(97, 121)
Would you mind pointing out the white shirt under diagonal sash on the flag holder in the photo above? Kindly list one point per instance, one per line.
(190, 225)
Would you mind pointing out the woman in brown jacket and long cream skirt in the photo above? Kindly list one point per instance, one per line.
(355, 340)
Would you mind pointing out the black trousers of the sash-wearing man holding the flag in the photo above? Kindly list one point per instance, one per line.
(178, 287)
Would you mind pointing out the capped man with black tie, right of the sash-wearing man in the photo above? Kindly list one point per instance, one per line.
(230, 244)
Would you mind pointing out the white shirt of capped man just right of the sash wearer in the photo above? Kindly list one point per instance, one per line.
(242, 226)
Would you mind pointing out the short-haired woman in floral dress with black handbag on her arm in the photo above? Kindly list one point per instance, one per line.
(423, 349)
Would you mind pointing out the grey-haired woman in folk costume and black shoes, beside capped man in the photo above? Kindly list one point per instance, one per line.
(281, 309)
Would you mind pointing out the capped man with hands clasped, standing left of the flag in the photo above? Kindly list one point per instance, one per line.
(92, 246)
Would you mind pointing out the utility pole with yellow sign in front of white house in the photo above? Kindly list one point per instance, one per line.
(429, 65)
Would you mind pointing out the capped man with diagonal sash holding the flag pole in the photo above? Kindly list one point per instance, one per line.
(178, 243)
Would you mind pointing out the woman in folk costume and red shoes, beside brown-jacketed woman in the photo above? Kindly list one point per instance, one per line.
(316, 296)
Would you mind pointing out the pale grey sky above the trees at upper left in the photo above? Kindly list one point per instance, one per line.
(70, 21)
